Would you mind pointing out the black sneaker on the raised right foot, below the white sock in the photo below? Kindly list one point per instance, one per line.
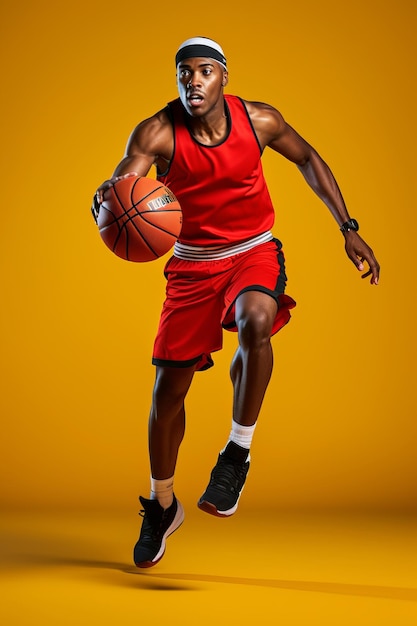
(227, 479)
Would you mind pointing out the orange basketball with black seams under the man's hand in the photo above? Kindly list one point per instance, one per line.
(139, 219)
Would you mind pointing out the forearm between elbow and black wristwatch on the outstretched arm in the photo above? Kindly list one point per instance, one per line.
(320, 178)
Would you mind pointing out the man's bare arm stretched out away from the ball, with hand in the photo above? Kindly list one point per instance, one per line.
(274, 132)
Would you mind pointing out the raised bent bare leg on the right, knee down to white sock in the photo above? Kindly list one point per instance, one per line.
(252, 363)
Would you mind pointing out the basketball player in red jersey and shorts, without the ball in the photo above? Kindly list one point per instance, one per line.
(227, 270)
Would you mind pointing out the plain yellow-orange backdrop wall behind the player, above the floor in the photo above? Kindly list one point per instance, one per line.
(338, 425)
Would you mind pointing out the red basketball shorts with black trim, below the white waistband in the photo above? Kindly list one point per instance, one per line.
(200, 302)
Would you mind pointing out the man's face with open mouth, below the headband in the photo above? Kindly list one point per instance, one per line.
(200, 85)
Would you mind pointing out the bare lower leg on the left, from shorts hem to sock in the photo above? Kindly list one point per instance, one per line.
(167, 418)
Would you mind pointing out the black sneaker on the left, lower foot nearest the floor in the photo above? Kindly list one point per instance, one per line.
(158, 523)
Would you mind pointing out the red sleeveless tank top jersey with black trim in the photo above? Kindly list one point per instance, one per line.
(221, 189)
